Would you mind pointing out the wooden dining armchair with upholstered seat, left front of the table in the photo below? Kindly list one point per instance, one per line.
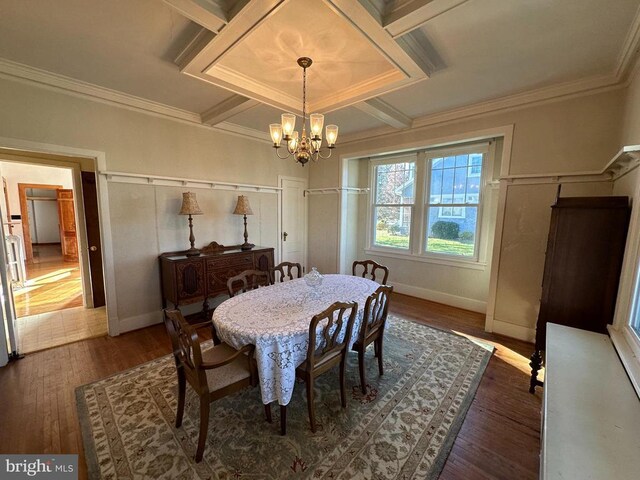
(213, 373)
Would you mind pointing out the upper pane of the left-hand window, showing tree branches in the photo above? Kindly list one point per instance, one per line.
(395, 183)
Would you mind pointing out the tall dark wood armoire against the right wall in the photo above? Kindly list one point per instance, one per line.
(582, 267)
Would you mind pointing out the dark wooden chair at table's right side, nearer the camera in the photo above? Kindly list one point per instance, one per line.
(327, 348)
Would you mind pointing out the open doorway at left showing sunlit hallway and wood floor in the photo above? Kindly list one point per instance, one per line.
(40, 223)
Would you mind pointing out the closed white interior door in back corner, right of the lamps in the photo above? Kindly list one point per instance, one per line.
(293, 238)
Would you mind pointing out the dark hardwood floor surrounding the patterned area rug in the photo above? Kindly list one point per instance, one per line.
(498, 440)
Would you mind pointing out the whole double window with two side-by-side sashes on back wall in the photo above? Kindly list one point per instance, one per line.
(428, 203)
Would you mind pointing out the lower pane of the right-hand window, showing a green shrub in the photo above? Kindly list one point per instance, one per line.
(452, 233)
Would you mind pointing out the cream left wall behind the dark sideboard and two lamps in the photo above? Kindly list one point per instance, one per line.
(144, 220)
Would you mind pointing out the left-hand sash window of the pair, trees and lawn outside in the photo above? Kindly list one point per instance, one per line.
(393, 204)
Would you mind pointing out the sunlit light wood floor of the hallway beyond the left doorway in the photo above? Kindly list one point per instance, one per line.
(49, 306)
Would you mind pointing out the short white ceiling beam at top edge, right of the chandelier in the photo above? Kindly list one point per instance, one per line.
(413, 14)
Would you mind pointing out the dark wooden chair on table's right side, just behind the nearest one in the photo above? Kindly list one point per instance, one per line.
(371, 329)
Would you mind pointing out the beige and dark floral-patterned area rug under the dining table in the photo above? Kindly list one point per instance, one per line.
(404, 427)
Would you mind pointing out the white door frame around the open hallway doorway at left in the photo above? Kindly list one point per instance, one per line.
(100, 164)
